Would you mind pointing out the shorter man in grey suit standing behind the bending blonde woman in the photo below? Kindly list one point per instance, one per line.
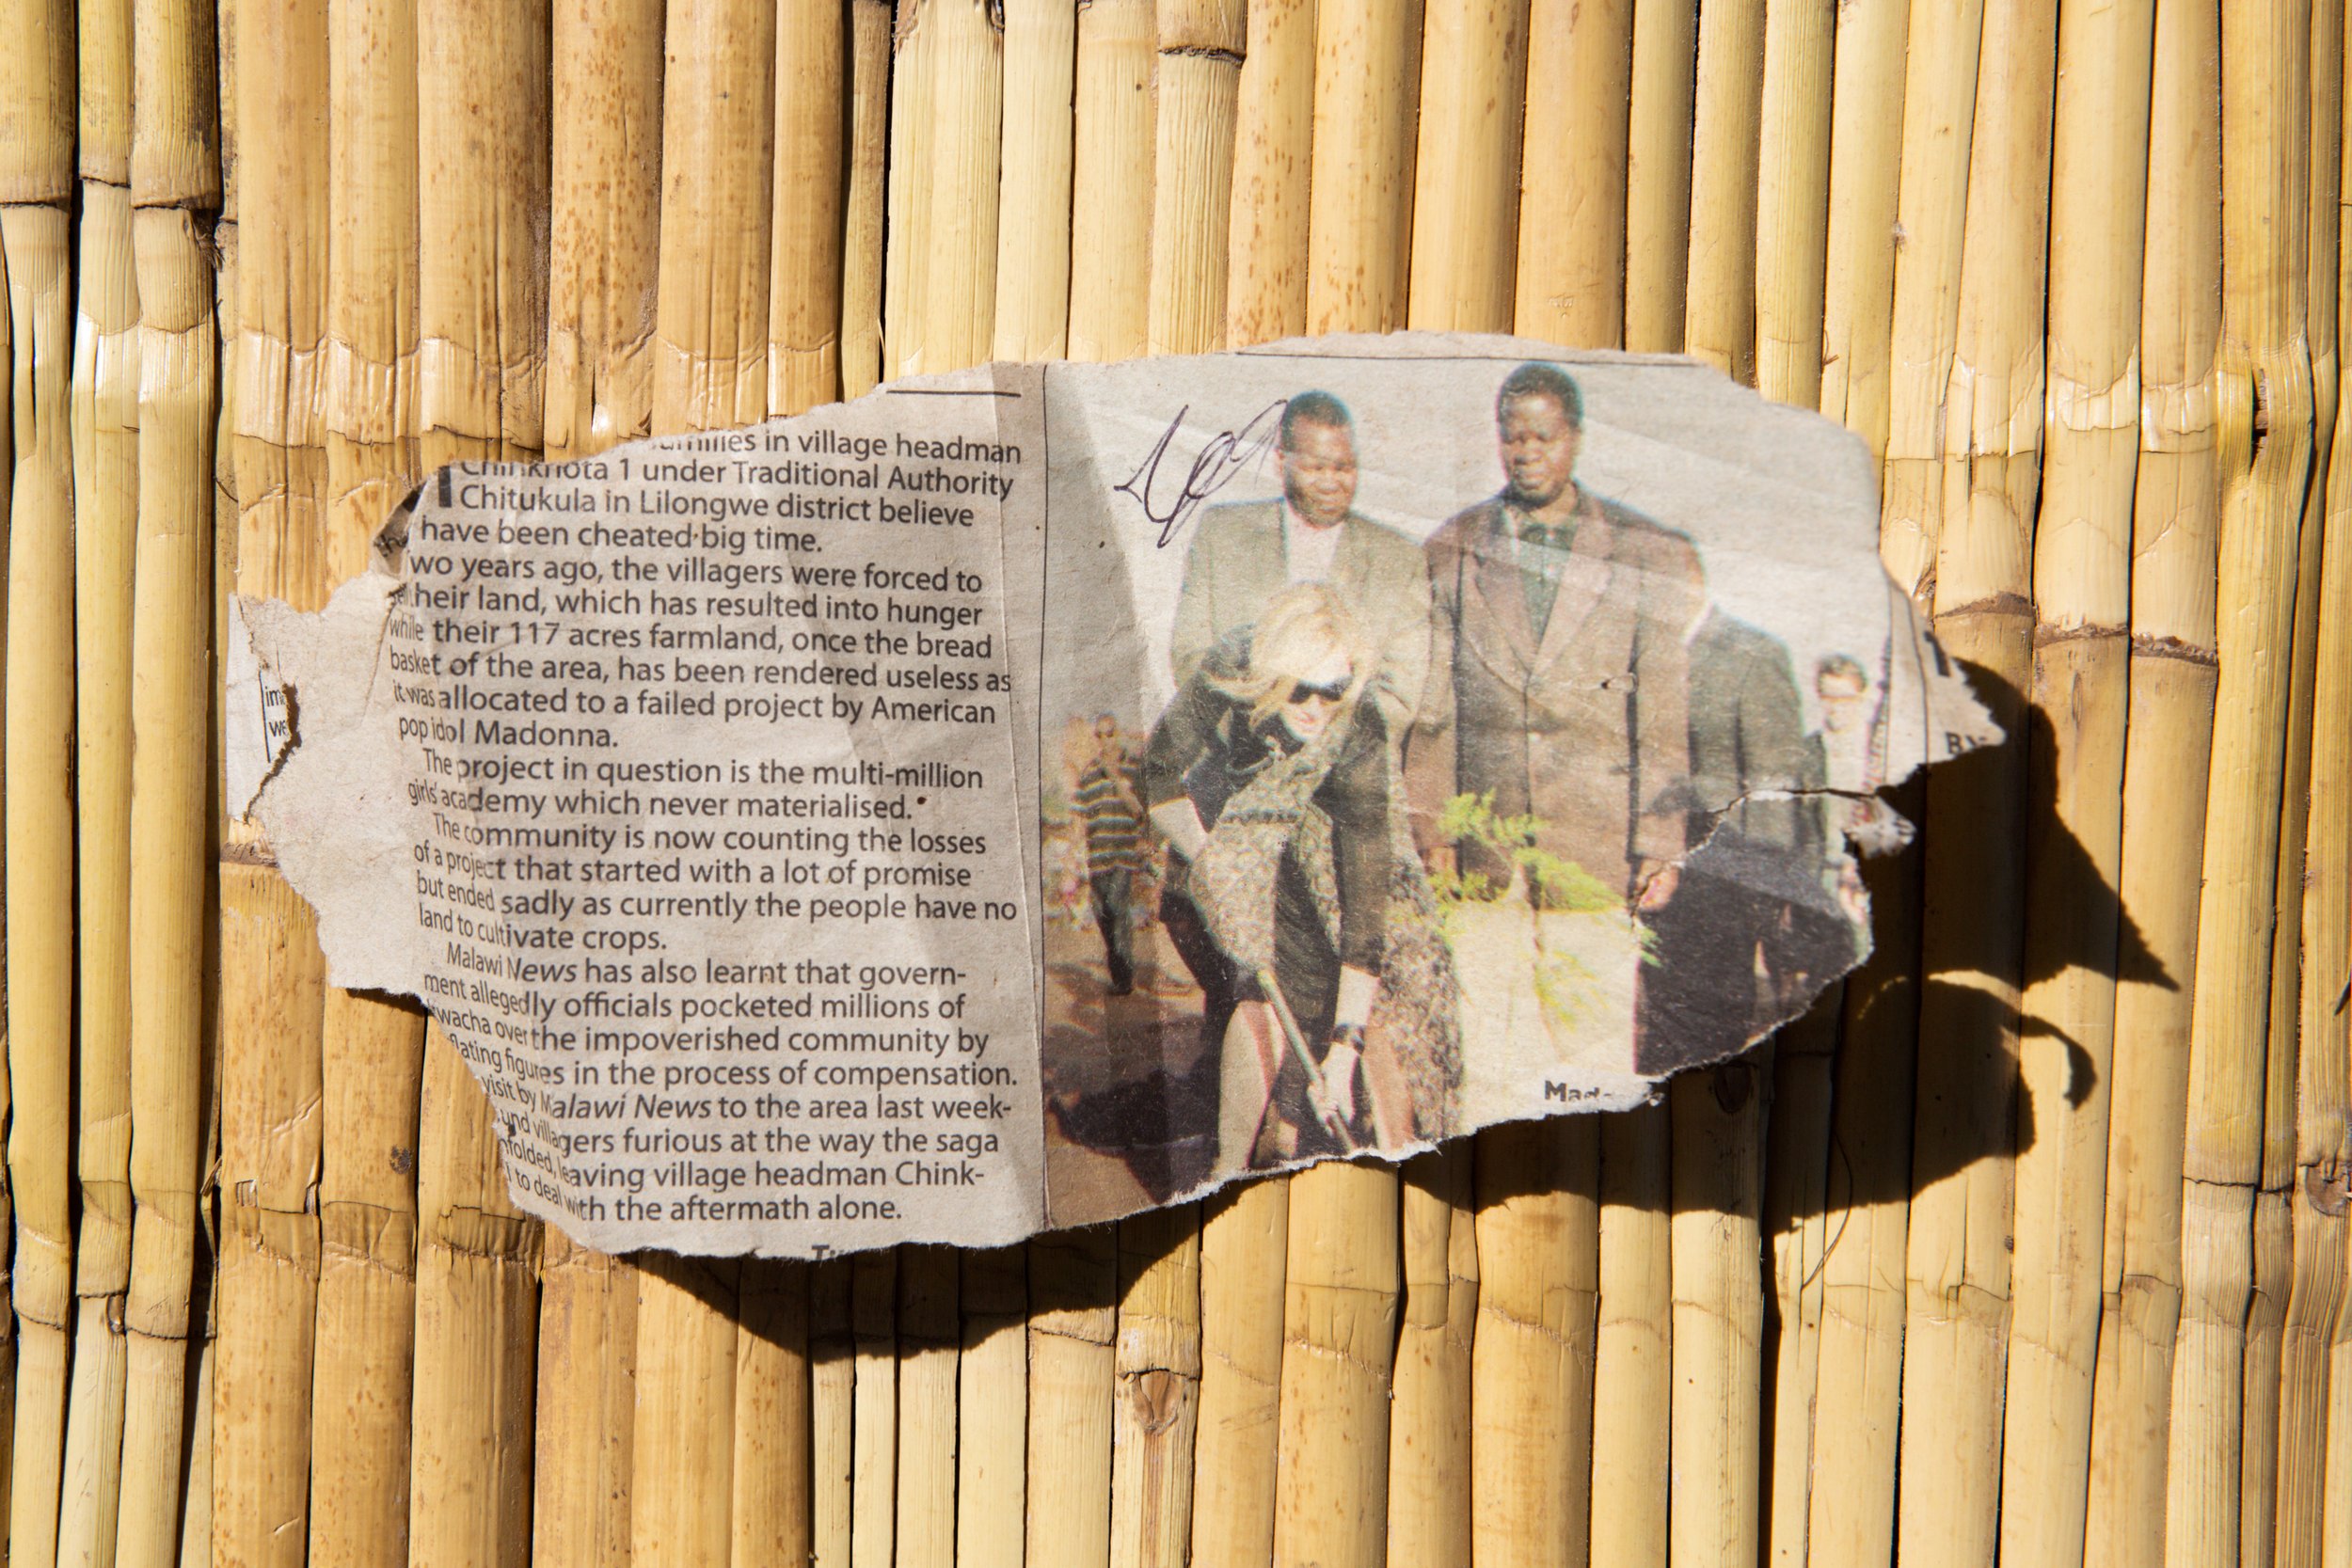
(1250, 551)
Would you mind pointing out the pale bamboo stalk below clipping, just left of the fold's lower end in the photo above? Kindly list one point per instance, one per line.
(991, 1407)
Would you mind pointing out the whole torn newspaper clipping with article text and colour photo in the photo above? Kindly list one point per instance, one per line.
(1038, 793)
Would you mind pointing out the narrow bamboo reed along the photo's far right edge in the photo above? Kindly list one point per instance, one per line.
(2313, 916)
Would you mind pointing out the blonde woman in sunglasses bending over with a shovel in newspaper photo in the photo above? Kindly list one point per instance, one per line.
(1297, 899)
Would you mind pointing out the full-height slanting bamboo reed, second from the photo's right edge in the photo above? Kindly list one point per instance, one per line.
(2266, 370)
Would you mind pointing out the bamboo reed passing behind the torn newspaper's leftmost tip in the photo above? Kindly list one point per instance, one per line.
(272, 1050)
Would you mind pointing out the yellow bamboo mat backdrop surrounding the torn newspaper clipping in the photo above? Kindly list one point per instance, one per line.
(2029, 1245)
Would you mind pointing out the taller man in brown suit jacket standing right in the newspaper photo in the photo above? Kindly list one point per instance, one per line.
(1558, 659)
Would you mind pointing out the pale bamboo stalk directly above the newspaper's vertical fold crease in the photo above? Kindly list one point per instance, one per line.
(1034, 199)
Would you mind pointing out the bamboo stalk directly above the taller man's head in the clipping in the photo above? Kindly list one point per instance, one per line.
(1570, 229)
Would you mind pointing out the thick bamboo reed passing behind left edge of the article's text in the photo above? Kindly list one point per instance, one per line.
(483, 319)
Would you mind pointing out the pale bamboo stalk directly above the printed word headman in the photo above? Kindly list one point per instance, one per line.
(968, 109)
